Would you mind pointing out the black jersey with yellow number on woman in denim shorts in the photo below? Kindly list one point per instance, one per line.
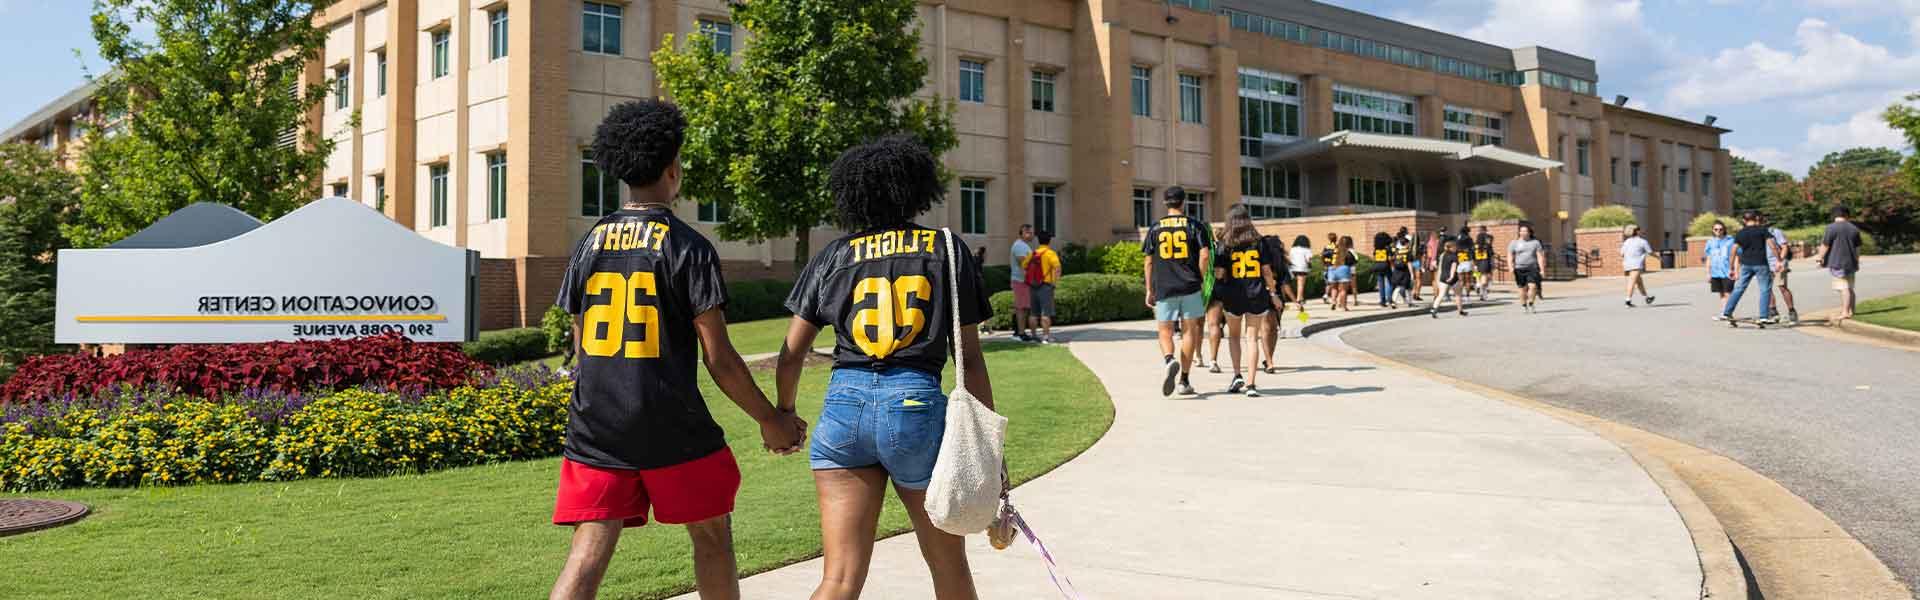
(888, 299)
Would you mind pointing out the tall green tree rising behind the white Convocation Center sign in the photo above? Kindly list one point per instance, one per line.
(197, 114)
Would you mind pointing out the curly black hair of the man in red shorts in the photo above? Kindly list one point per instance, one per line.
(638, 141)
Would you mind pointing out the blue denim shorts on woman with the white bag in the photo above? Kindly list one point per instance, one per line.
(890, 418)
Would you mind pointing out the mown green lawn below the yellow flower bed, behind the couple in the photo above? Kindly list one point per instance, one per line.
(481, 532)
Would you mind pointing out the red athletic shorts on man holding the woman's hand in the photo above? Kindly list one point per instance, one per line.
(686, 493)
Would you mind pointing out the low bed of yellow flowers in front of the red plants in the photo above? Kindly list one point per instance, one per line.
(156, 437)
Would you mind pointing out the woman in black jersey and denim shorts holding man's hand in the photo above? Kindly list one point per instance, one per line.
(884, 411)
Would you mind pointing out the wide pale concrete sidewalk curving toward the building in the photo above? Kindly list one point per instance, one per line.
(1347, 480)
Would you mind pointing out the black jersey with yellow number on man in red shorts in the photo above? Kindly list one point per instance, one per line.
(638, 280)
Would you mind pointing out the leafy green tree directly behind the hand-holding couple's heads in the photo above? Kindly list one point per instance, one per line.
(815, 80)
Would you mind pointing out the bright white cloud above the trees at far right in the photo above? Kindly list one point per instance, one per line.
(1825, 59)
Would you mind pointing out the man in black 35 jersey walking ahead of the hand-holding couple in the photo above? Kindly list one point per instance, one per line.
(1178, 251)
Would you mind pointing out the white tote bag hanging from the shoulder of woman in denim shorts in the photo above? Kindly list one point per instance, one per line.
(969, 480)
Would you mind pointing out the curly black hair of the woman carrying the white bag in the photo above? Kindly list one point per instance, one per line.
(884, 184)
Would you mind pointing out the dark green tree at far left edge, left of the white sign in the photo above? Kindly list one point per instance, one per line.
(36, 199)
